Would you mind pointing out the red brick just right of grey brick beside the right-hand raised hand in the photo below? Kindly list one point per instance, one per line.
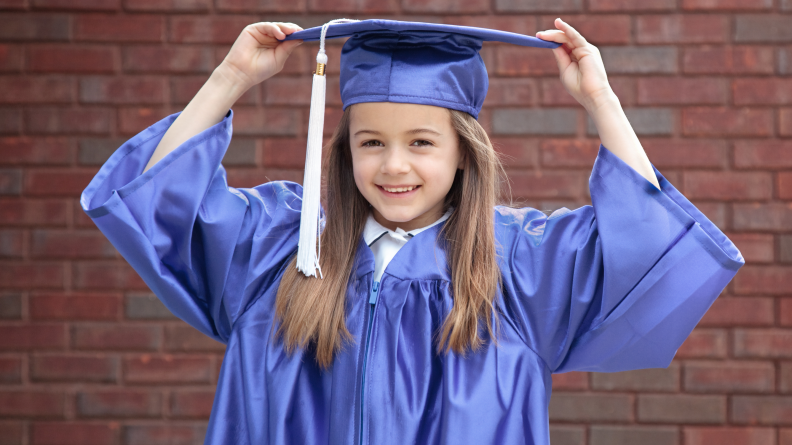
(743, 59)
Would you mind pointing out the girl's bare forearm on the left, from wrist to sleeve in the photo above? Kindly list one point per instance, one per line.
(207, 108)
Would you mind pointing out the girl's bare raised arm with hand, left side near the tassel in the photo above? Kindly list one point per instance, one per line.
(256, 56)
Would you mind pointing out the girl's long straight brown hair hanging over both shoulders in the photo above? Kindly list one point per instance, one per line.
(311, 311)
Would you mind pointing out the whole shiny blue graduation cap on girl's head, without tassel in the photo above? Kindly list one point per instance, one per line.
(414, 62)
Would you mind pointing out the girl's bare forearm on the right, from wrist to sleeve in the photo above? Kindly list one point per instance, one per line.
(618, 136)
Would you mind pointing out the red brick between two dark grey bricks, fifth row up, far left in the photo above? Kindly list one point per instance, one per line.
(74, 306)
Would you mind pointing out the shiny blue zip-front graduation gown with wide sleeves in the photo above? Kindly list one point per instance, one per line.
(610, 287)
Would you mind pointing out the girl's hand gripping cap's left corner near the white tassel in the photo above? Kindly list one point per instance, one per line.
(257, 53)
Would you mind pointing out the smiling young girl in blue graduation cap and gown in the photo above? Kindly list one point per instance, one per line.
(440, 317)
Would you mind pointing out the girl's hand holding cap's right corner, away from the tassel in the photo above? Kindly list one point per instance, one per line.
(580, 65)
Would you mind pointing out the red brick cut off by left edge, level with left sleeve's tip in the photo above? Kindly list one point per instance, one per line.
(32, 212)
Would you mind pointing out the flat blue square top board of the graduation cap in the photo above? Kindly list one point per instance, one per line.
(337, 30)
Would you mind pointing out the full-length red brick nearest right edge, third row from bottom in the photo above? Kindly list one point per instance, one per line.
(729, 377)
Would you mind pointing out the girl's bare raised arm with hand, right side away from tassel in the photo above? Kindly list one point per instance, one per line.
(583, 75)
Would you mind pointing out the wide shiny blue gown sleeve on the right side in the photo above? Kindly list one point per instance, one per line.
(617, 285)
